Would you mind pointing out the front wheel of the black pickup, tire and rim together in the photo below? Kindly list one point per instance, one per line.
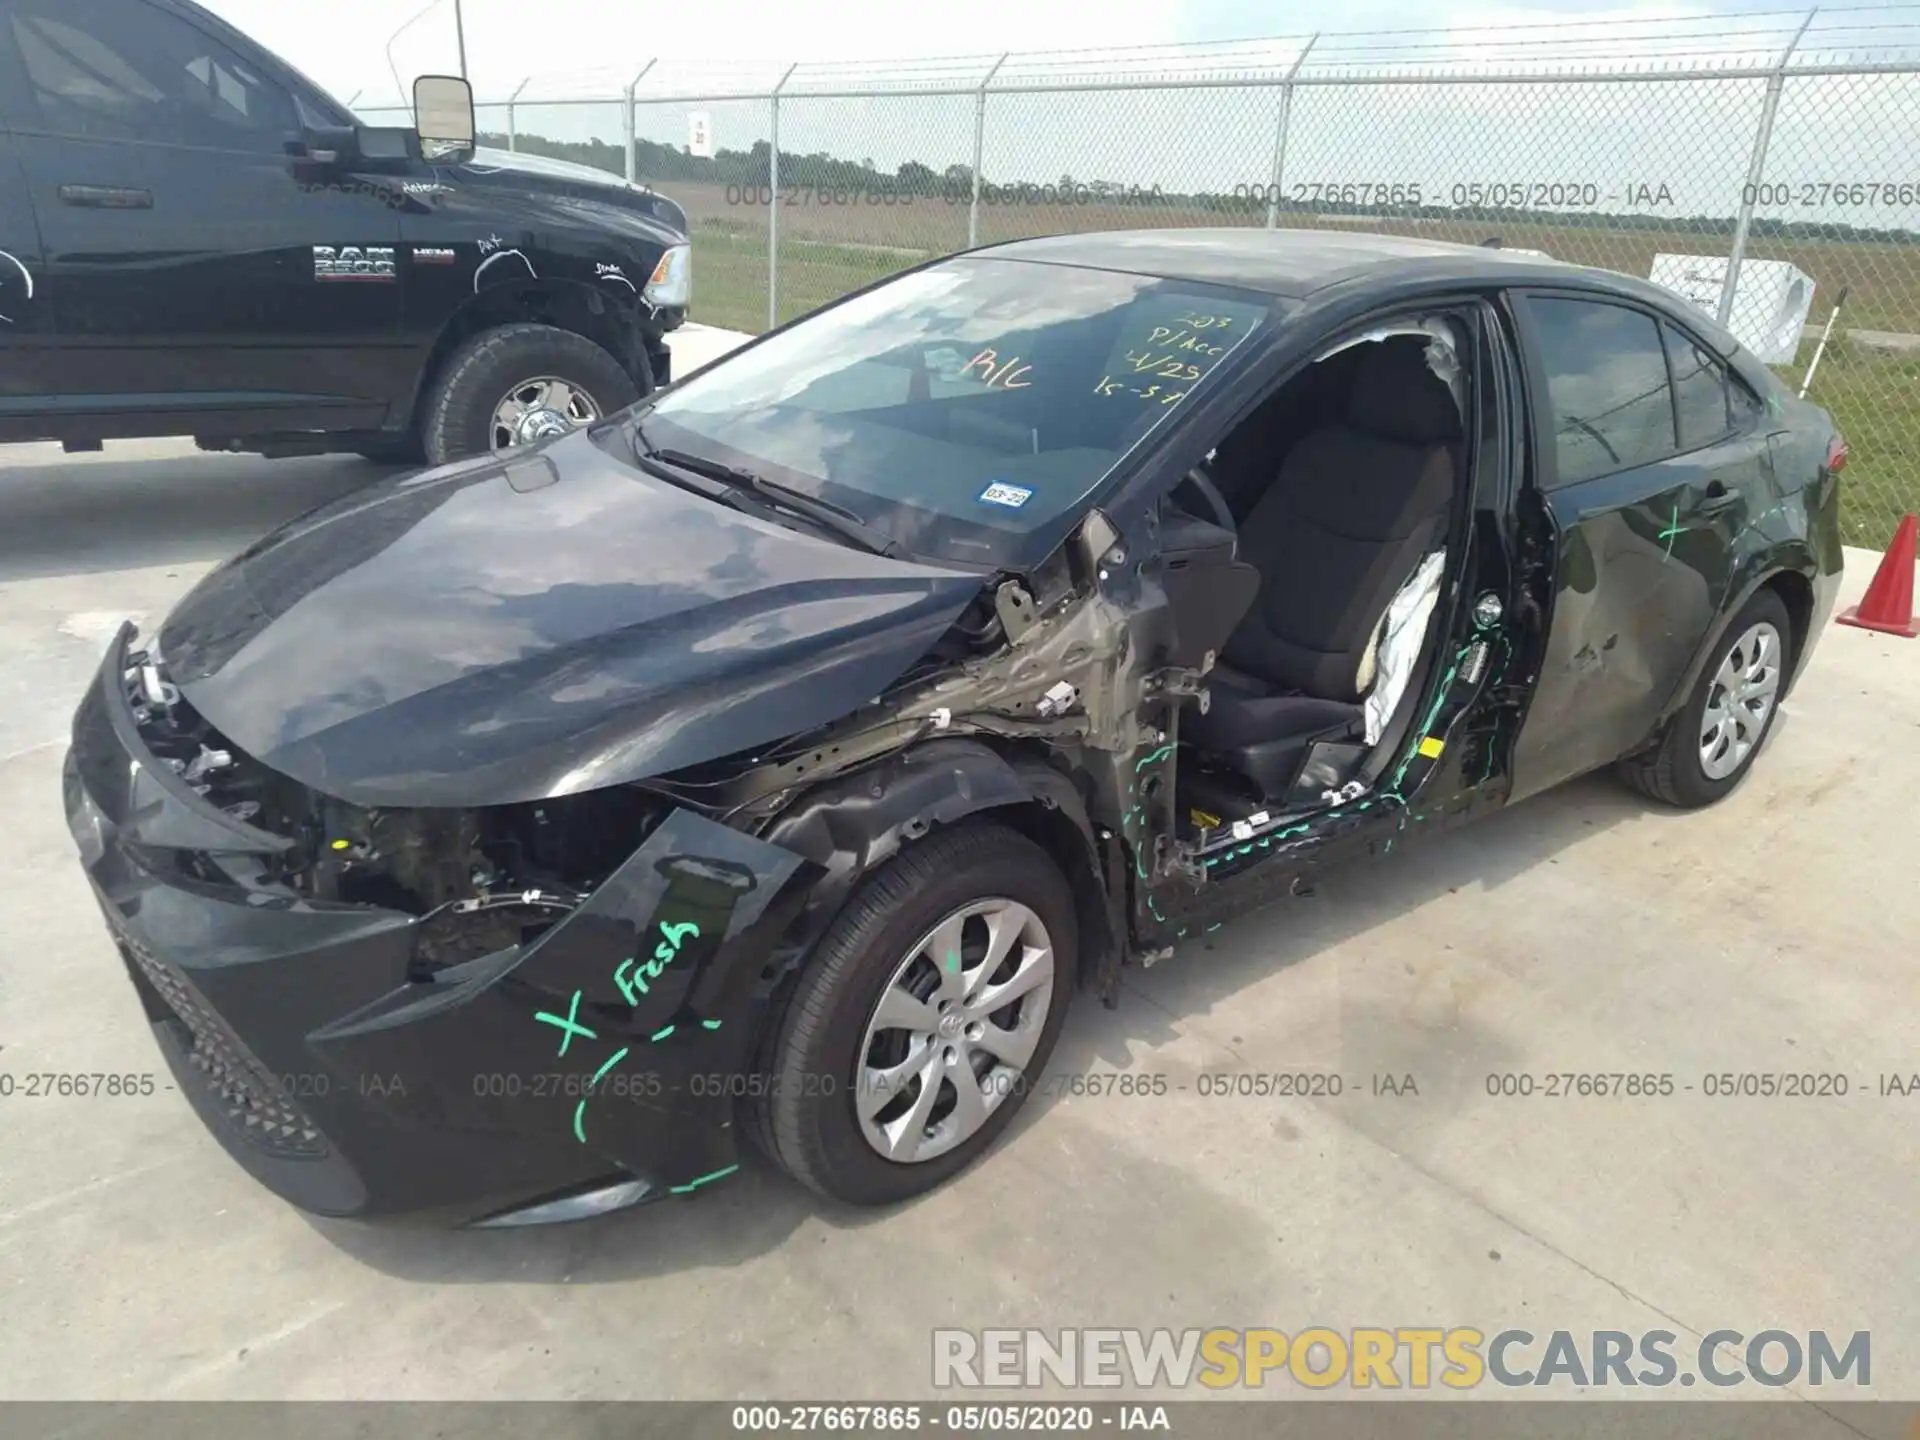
(517, 385)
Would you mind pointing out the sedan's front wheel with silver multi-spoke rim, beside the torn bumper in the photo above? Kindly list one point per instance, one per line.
(923, 1019)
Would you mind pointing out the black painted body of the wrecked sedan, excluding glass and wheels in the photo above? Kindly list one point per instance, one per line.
(569, 612)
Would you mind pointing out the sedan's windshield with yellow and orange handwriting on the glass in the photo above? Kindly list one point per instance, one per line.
(965, 410)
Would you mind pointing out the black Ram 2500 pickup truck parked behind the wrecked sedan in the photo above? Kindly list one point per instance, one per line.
(199, 241)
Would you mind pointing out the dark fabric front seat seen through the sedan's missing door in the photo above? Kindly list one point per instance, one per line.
(1355, 510)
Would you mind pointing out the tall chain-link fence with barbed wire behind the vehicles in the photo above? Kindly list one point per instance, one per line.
(1765, 164)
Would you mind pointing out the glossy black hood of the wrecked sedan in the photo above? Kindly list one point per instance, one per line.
(519, 629)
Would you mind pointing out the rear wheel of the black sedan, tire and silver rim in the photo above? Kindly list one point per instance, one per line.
(1708, 750)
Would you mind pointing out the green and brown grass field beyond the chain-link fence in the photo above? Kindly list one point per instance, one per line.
(1875, 396)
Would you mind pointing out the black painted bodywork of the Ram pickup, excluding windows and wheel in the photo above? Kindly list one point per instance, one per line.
(193, 302)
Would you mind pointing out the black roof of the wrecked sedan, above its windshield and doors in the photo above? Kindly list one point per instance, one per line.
(1297, 264)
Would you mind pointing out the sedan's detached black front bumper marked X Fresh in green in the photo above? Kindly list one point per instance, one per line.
(594, 1067)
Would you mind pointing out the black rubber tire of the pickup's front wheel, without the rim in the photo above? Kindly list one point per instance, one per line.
(458, 418)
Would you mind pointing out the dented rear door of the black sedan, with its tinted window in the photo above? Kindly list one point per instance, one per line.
(1648, 473)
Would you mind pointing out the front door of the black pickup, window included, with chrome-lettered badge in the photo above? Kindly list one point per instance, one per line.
(180, 243)
